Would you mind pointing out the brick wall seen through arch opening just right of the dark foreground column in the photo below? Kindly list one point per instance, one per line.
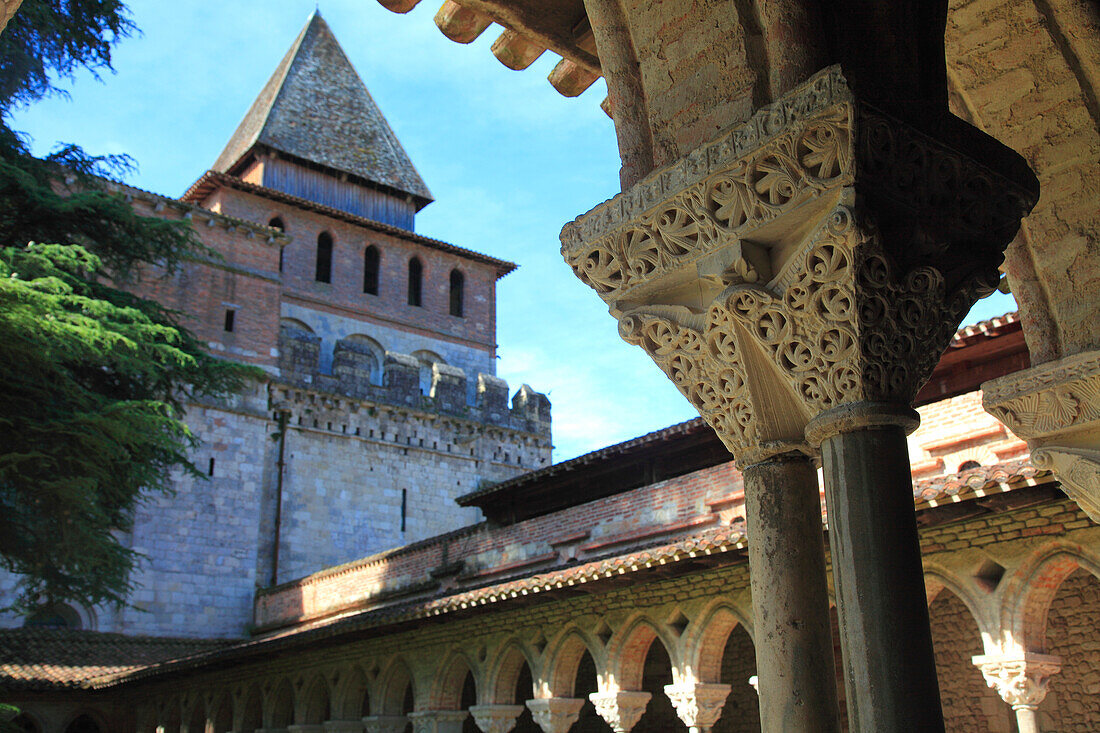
(958, 638)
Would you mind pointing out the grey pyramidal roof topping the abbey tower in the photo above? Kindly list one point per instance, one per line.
(315, 107)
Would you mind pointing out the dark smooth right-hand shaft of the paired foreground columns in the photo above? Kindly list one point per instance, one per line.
(889, 665)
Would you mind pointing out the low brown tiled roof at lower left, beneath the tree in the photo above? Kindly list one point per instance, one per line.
(51, 659)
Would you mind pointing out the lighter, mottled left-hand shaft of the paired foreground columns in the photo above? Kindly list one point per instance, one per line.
(790, 597)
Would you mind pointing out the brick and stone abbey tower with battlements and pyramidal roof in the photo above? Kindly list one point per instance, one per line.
(381, 404)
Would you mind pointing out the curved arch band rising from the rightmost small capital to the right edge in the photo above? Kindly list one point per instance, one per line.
(1031, 590)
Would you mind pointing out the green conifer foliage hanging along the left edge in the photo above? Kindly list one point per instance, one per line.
(94, 378)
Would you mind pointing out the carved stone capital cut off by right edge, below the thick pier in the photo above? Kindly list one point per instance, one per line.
(1057, 409)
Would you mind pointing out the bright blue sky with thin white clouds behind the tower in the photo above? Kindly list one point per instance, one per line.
(508, 159)
